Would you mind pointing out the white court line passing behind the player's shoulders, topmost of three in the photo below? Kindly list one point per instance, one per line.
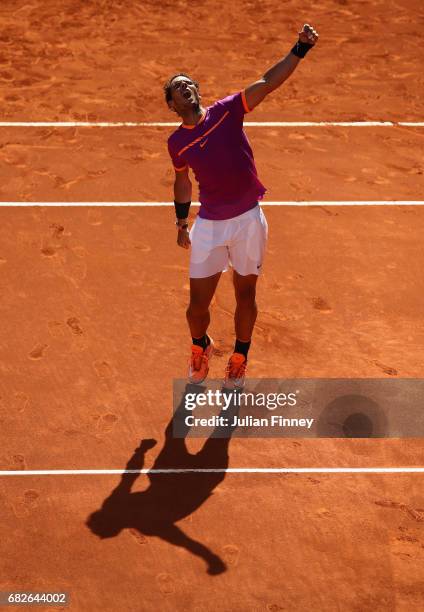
(176, 124)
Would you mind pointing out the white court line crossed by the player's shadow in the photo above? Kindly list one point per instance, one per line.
(307, 470)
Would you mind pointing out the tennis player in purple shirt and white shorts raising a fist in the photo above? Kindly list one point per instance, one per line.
(230, 228)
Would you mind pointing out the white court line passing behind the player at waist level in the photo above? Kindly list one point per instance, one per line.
(264, 203)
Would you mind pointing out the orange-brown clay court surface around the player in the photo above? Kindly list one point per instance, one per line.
(93, 308)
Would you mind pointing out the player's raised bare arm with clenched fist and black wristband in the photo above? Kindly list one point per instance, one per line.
(280, 72)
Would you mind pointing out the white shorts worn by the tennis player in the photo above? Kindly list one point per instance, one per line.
(238, 242)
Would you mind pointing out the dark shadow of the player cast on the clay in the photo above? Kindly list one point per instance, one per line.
(169, 497)
